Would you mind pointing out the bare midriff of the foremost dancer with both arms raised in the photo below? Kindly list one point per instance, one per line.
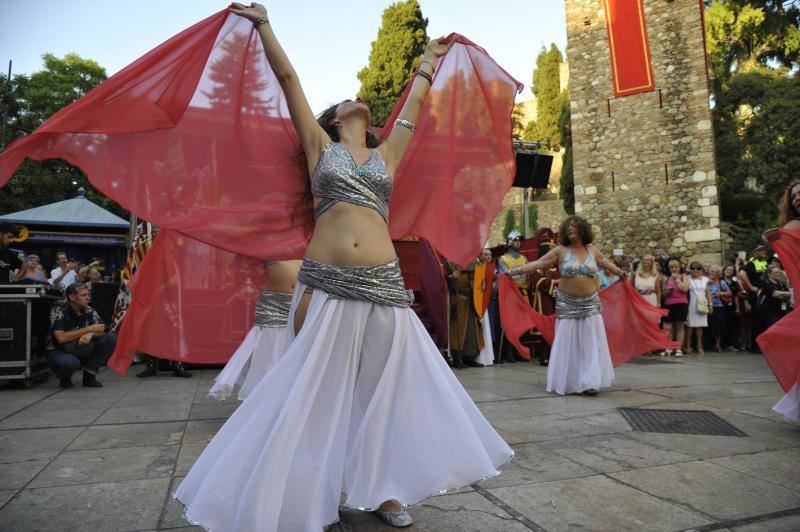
(351, 235)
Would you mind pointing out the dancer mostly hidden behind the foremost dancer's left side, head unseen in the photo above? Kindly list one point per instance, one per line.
(267, 339)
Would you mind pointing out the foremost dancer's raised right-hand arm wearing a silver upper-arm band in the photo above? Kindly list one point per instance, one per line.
(400, 137)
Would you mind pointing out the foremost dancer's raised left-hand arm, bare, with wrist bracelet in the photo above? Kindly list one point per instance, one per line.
(312, 136)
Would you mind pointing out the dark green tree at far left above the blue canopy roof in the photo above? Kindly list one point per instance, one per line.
(32, 100)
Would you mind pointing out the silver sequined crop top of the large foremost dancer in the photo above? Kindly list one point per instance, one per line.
(337, 178)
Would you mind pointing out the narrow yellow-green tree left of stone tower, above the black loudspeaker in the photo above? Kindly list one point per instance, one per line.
(547, 90)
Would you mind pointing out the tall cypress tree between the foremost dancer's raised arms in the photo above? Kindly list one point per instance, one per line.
(393, 58)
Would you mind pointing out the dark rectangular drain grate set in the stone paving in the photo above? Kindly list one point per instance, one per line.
(679, 422)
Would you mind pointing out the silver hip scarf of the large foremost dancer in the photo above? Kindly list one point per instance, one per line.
(378, 283)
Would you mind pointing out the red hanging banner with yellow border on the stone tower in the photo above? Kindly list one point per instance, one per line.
(631, 65)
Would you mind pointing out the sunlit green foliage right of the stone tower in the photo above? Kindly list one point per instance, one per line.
(754, 47)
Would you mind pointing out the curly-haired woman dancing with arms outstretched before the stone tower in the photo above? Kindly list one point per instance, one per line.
(580, 361)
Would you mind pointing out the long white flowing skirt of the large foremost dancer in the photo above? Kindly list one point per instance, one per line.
(361, 405)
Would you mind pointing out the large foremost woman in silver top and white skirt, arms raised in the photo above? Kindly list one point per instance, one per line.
(362, 409)
